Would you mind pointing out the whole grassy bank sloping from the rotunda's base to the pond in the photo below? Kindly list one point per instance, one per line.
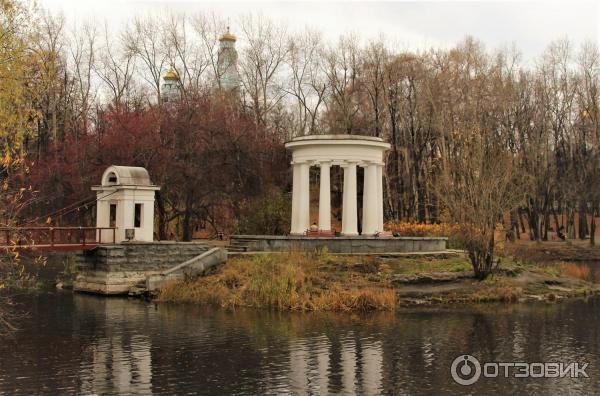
(324, 282)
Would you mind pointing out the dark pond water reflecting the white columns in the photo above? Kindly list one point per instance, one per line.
(83, 344)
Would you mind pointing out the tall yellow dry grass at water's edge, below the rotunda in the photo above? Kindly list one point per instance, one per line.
(295, 281)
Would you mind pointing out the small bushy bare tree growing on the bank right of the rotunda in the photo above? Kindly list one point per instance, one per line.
(478, 187)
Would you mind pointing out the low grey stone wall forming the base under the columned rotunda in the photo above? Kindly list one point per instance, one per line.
(267, 243)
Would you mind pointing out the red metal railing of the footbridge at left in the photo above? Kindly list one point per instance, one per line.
(55, 238)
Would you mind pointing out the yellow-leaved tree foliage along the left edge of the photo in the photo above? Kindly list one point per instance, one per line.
(19, 92)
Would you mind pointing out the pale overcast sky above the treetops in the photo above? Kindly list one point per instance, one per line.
(531, 25)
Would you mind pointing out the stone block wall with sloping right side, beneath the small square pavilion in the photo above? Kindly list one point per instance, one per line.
(114, 269)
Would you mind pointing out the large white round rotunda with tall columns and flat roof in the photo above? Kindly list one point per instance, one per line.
(349, 152)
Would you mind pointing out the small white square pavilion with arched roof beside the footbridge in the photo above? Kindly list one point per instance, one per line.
(125, 200)
